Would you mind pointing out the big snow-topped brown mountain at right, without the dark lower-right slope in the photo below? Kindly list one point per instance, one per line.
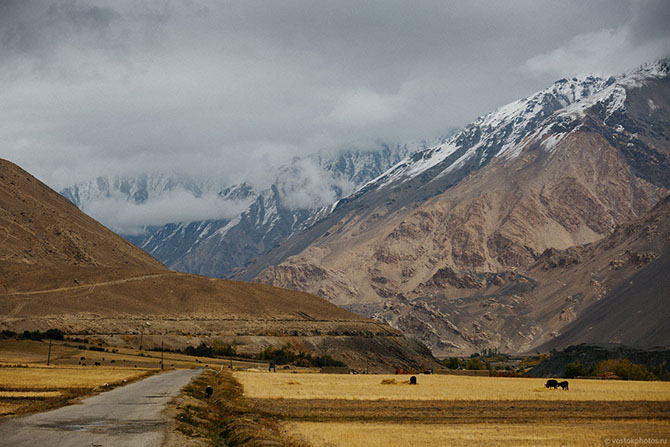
(465, 222)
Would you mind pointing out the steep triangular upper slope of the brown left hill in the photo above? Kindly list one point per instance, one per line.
(40, 227)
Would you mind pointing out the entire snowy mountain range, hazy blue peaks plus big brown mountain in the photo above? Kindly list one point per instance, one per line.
(540, 224)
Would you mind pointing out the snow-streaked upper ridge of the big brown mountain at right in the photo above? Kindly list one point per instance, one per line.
(509, 128)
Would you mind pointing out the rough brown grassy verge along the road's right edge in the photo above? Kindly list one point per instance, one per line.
(226, 419)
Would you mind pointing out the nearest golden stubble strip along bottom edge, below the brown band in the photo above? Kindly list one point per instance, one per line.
(332, 434)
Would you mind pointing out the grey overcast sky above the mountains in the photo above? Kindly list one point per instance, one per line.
(231, 88)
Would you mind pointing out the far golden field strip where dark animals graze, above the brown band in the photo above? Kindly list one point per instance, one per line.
(443, 387)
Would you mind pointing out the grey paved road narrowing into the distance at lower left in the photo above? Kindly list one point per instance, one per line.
(126, 416)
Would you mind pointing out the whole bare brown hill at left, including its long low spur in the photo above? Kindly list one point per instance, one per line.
(60, 268)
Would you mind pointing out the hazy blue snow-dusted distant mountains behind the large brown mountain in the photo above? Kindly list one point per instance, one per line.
(216, 247)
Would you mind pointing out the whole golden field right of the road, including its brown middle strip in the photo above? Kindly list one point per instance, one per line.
(358, 410)
